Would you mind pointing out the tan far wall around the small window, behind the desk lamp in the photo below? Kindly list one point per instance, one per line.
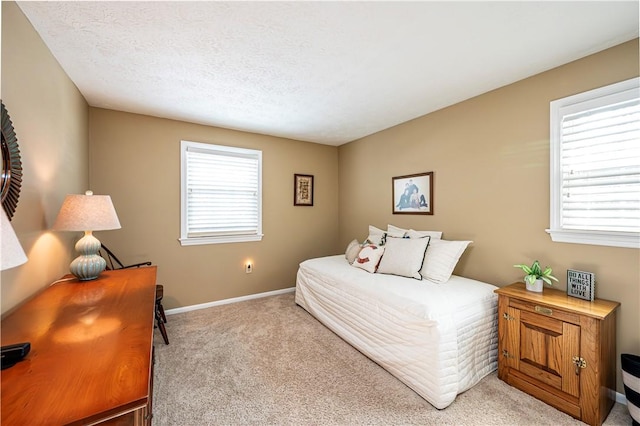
(136, 160)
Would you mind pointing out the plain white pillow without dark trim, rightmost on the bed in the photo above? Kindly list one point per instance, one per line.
(441, 258)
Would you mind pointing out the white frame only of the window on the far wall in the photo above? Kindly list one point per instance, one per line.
(185, 239)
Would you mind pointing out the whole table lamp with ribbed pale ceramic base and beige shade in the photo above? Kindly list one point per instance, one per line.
(87, 213)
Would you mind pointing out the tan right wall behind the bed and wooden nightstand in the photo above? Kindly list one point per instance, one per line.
(490, 158)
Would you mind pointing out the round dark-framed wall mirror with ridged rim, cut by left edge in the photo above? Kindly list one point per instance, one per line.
(11, 178)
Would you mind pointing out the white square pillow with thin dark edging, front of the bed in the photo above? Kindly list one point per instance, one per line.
(404, 257)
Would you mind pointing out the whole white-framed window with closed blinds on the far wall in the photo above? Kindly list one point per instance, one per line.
(221, 194)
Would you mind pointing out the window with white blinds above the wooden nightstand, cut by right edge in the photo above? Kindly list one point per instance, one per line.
(595, 166)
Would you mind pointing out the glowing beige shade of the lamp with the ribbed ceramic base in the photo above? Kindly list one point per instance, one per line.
(87, 213)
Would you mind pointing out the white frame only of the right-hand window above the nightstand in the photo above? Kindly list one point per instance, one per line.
(556, 230)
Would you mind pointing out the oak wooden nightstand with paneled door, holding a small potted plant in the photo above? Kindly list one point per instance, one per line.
(559, 349)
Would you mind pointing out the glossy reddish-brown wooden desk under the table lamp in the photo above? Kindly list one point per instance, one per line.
(91, 349)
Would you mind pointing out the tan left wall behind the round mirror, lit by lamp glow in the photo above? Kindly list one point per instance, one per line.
(50, 118)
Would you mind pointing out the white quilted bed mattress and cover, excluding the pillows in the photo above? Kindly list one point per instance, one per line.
(438, 339)
